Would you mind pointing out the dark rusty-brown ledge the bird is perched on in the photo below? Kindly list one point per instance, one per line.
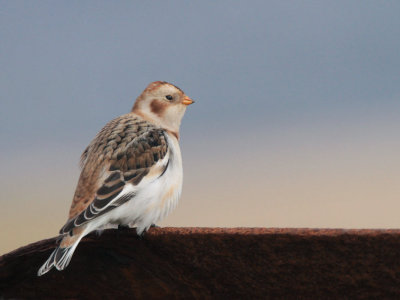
(213, 263)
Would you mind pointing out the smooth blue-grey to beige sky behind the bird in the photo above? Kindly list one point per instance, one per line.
(296, 121)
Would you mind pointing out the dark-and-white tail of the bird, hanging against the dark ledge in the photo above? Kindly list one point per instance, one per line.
(62, 255)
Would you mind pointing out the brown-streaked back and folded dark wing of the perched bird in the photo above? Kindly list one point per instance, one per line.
(125, 151)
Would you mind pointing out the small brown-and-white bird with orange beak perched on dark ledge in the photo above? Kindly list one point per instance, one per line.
(131, 171)
